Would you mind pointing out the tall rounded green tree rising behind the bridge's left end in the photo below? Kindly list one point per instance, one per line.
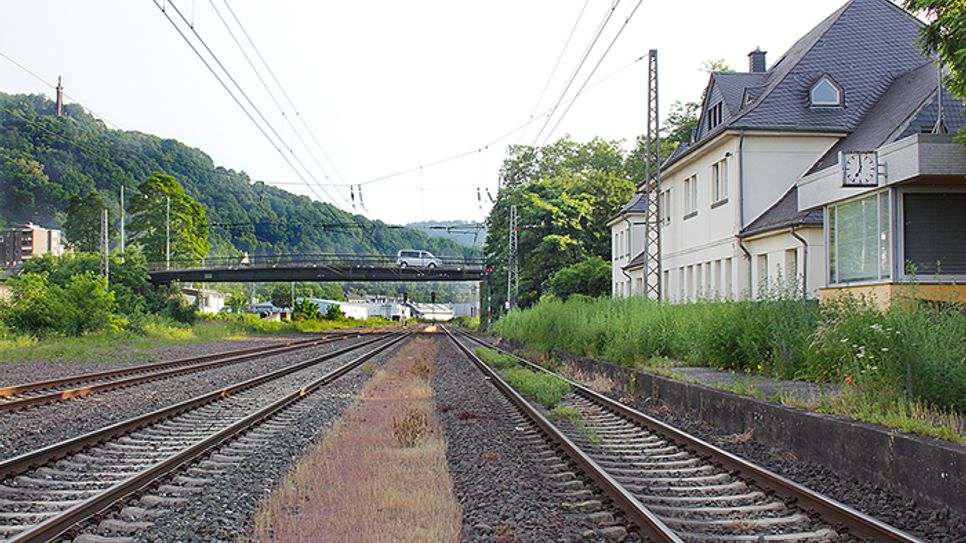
(189, 224)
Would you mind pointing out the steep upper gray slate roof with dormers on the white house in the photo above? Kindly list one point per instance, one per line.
(863, 46)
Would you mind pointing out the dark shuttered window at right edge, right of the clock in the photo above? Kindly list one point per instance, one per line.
(933, 224)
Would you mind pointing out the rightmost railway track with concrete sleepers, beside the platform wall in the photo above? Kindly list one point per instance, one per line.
(676, 487)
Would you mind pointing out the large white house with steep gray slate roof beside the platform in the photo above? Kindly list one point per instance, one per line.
(733, 225)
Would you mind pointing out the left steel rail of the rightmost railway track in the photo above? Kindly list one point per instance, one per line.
(648, 522)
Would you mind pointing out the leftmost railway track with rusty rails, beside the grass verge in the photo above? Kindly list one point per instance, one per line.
(16, 397)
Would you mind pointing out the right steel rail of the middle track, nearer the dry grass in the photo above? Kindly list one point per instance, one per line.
(55, 526)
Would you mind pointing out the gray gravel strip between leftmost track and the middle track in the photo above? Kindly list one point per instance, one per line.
(26, 430)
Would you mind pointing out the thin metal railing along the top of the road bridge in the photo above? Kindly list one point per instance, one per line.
(330, 260)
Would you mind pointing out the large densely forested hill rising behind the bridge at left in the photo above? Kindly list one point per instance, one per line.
(45, 159)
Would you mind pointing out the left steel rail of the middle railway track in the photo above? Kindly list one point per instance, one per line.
(19, 464)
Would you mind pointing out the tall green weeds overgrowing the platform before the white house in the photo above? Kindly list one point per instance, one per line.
(913, 351)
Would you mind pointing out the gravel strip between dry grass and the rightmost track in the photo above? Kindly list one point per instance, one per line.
(496, 481)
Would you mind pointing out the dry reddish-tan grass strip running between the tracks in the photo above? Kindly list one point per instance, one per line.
(359, 484)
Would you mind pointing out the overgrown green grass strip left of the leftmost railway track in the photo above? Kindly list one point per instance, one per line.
(153, 331)
